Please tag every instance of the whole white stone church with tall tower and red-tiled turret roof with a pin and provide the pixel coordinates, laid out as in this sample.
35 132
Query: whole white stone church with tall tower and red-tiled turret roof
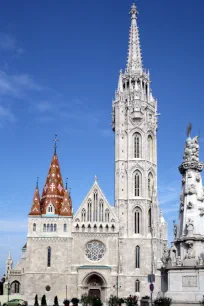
101 249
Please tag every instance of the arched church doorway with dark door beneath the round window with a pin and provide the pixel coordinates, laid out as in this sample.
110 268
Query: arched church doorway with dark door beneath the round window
95 286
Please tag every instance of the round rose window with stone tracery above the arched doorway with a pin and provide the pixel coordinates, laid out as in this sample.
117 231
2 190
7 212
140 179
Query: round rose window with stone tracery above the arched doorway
95 250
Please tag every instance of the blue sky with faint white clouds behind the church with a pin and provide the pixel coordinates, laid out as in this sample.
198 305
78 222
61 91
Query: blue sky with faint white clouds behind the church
59 64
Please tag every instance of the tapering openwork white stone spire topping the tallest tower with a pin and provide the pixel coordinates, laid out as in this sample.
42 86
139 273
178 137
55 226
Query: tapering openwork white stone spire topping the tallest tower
134 61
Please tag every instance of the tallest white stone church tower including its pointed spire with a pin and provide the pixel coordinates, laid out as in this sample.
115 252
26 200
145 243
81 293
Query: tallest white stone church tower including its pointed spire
134 121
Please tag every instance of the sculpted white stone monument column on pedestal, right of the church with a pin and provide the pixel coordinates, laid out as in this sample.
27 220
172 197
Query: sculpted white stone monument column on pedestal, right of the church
184 262
